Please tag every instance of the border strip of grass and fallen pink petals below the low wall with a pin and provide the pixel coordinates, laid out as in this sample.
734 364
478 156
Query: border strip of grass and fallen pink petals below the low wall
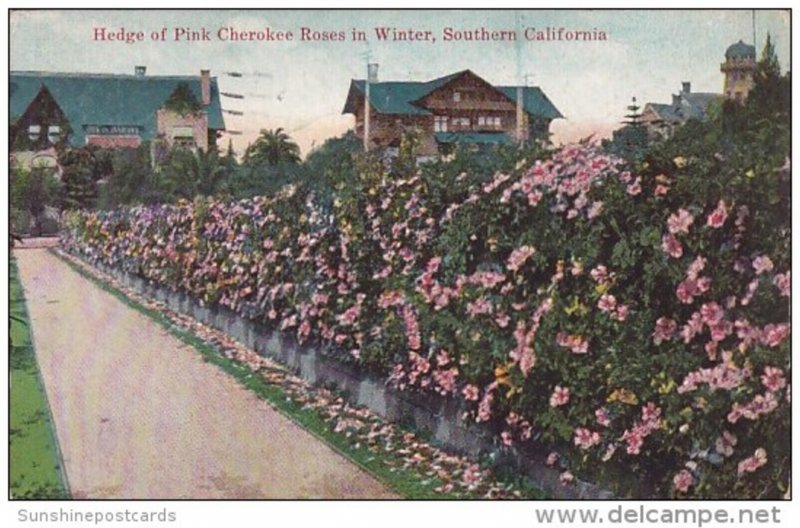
408 464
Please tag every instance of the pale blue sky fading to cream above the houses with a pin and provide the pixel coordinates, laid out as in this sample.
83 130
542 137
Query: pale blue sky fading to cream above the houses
301 86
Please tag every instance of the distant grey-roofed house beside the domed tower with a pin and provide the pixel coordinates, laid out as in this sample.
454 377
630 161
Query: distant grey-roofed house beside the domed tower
662 119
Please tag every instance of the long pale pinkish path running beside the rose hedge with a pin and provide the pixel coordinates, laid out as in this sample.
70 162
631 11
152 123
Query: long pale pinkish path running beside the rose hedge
140 415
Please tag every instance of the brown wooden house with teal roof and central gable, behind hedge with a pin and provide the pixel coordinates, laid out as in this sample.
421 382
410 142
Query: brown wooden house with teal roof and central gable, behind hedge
457 108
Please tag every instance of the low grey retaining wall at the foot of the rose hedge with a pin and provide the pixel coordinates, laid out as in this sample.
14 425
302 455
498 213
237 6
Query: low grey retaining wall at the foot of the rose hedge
437 416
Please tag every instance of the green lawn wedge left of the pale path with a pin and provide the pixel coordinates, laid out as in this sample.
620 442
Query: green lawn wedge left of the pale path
35 465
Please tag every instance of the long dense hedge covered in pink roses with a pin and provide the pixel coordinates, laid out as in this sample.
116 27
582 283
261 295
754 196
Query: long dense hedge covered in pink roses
636 326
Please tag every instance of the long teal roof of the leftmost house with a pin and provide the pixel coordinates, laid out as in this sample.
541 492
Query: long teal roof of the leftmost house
103 99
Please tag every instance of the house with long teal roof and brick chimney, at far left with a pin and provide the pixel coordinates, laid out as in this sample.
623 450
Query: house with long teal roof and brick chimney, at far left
113 111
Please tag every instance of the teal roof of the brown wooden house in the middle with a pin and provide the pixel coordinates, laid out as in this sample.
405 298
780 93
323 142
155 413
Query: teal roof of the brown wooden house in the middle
399 97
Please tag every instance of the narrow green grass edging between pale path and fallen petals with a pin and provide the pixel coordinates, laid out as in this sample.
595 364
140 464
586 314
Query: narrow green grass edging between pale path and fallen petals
387 468
